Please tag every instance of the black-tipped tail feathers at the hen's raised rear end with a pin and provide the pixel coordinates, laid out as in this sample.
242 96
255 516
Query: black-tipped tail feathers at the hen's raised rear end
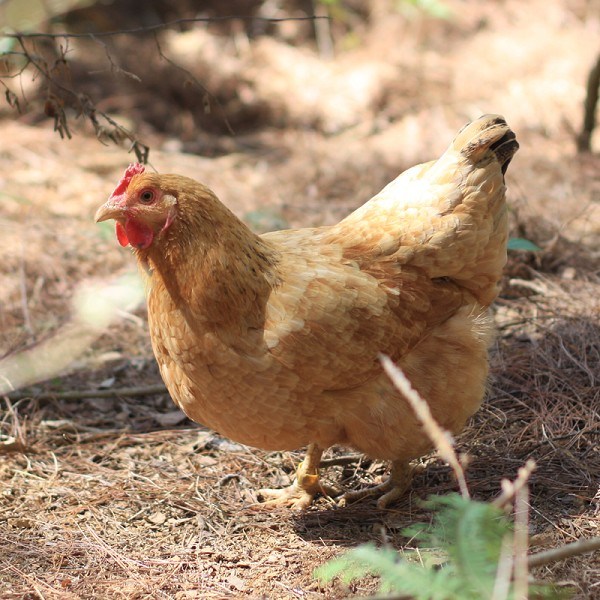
487 133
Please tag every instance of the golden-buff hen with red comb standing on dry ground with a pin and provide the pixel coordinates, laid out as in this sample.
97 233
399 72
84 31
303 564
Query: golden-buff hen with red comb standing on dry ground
274 340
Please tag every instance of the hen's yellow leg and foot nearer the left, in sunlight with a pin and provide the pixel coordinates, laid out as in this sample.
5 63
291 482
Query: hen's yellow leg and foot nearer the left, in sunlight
306 486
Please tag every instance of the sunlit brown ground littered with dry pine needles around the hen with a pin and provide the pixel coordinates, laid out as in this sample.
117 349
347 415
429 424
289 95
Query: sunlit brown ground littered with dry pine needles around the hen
109 494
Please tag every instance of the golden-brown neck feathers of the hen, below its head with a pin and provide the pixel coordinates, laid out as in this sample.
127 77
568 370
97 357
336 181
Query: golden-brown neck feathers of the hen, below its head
216 270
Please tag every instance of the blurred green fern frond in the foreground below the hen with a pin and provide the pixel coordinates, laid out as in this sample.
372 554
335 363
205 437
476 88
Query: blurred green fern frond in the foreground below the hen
458 556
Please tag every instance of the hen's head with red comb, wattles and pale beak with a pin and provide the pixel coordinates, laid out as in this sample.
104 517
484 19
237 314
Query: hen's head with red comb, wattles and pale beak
146 205
